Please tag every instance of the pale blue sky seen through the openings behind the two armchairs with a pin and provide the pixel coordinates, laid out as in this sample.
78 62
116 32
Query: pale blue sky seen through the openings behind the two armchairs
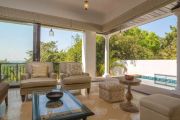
17 39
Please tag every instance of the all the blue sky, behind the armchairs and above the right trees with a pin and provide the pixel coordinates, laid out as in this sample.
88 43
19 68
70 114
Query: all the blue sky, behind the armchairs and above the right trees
16 39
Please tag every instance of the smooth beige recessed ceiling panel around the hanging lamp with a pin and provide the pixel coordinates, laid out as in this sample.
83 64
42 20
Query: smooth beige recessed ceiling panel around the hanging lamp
100 11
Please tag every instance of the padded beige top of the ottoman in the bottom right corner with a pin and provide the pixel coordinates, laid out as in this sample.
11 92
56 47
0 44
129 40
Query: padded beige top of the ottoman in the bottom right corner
165 105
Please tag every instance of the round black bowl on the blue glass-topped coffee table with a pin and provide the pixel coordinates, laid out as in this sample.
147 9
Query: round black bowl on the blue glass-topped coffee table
54 95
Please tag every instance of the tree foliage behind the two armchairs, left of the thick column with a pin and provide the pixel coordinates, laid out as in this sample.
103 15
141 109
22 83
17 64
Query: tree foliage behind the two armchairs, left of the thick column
50 53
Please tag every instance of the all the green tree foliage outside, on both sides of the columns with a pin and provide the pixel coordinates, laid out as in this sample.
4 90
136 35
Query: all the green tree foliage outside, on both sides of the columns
133 44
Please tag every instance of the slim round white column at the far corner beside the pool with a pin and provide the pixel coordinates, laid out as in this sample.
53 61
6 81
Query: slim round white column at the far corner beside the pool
106 72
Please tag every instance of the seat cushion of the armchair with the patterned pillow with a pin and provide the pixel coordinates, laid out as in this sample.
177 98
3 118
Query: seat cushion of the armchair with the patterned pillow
79 79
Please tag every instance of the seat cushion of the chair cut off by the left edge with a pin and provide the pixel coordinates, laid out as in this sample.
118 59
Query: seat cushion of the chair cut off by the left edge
3 89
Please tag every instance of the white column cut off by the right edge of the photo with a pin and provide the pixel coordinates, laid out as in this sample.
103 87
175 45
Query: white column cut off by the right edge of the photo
177 12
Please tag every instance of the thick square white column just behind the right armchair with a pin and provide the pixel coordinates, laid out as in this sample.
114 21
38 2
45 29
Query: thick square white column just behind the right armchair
89 53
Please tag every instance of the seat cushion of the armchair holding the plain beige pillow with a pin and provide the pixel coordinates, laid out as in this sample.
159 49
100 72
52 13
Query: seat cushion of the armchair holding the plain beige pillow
38 82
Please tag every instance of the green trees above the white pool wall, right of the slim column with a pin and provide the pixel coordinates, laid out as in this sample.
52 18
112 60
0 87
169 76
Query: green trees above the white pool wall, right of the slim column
137 44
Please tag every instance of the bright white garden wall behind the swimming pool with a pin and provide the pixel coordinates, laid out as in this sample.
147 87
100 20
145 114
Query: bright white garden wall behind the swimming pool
151 67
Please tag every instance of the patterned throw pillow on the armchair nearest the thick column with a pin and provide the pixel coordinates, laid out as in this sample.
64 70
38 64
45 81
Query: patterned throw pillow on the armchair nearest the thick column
74 69
